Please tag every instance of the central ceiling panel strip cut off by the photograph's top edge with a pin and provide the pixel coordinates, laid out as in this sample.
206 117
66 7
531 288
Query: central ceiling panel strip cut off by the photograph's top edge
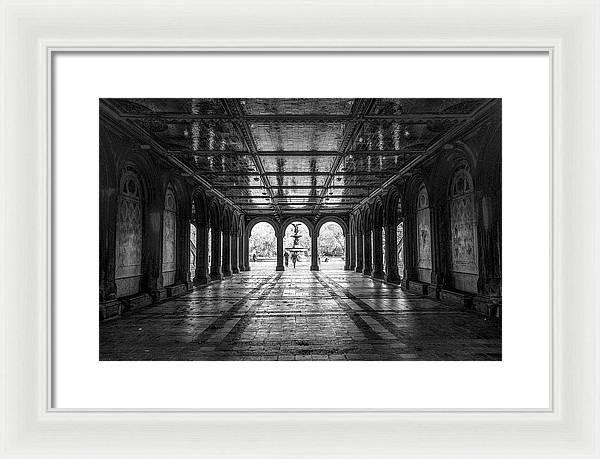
297 106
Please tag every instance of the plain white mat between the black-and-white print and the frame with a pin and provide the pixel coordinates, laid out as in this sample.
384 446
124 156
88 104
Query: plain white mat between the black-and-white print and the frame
521 380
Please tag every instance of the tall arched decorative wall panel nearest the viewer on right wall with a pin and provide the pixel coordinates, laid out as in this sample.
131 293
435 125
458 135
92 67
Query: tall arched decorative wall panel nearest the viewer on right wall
463 231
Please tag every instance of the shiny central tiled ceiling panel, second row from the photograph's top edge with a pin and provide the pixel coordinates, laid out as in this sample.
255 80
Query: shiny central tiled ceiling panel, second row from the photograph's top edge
297 136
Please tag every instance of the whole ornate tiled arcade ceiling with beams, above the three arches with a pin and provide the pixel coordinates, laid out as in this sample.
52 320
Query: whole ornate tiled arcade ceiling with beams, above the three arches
294 156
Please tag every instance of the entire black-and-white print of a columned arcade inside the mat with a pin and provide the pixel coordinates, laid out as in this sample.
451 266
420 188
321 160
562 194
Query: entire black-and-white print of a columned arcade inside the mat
311 229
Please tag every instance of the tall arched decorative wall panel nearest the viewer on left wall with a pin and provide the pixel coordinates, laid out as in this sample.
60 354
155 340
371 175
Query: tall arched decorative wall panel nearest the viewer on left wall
129 237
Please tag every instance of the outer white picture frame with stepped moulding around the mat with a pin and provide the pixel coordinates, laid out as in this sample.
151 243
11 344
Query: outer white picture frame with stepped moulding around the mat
568 30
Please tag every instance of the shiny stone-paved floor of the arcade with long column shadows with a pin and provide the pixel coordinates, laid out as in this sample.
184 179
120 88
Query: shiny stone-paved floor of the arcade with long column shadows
300 315
